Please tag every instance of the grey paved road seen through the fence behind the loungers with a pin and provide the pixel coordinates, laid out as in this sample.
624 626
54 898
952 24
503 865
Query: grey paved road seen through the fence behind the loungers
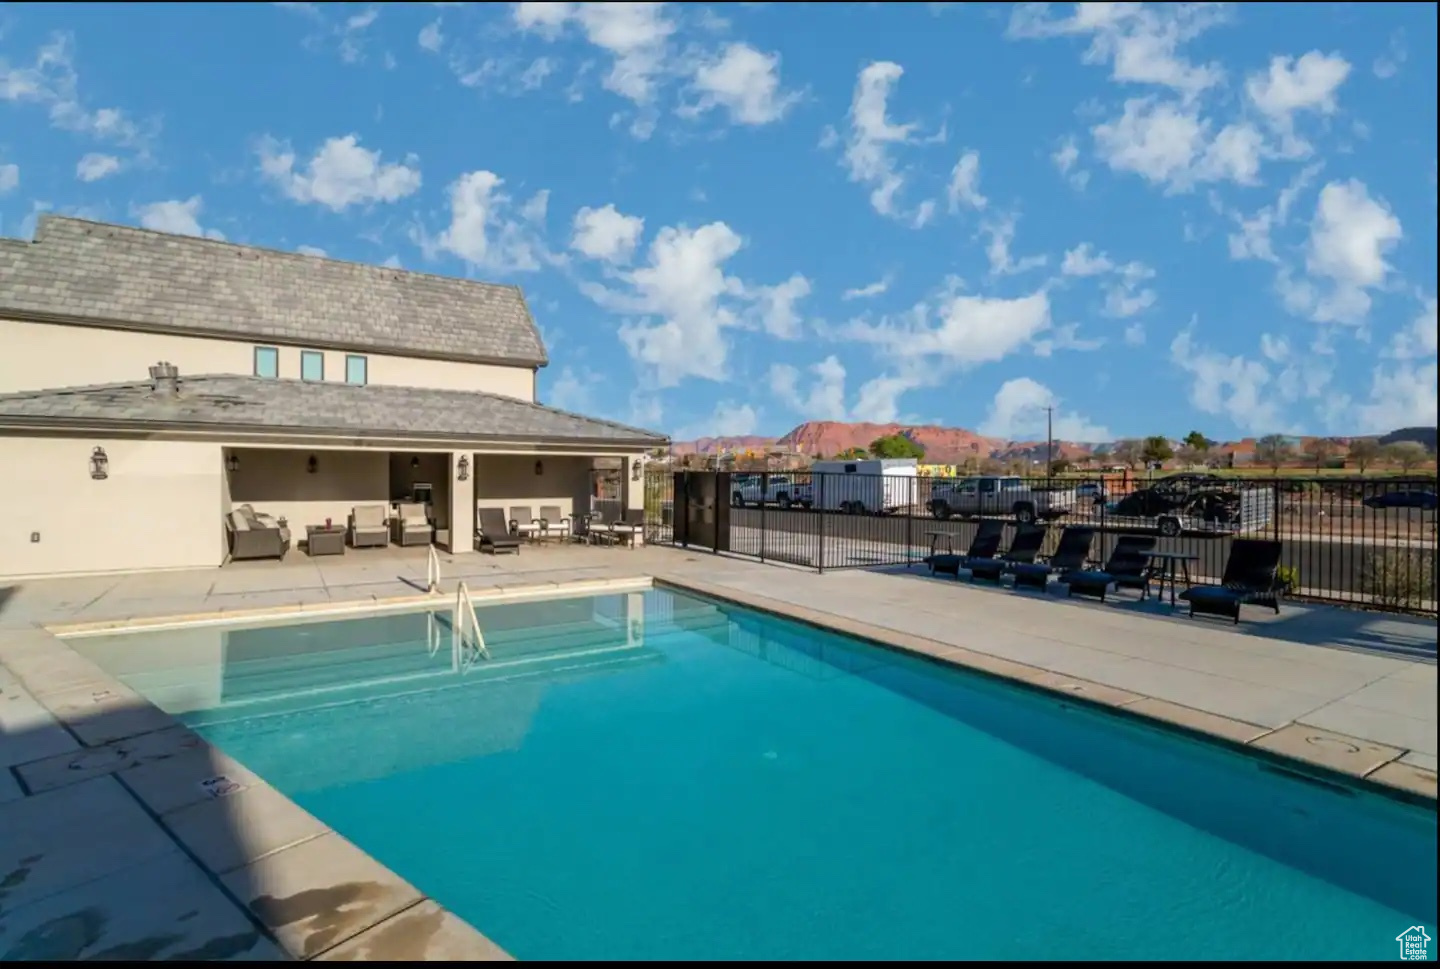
1331 567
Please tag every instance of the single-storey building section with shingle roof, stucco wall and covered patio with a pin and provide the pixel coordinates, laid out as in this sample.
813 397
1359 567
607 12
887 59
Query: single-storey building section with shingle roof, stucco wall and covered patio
142 477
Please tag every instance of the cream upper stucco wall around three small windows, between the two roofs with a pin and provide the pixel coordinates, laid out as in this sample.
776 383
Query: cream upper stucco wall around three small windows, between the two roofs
40 356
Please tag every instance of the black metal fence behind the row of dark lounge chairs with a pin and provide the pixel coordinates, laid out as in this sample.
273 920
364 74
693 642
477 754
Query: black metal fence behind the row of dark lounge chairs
1364 542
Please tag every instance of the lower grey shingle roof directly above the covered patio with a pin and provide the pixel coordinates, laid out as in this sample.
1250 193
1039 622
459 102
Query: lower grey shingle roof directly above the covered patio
375 411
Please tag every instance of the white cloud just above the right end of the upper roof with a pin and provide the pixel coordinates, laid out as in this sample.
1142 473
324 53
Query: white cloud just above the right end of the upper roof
482 231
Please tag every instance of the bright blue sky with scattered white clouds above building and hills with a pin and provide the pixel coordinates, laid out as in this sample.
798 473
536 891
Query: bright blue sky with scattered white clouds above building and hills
732 220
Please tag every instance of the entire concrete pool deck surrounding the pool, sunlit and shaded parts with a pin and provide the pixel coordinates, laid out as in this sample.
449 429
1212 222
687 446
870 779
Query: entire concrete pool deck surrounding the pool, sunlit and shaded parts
129 836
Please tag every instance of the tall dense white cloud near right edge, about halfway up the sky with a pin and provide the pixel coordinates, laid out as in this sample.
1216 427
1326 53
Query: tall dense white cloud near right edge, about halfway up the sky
1350 237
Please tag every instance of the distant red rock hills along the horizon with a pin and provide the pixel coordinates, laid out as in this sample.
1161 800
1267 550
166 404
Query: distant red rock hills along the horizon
953 446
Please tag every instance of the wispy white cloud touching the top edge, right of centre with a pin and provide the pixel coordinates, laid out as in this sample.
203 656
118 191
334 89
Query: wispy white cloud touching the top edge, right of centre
1140 42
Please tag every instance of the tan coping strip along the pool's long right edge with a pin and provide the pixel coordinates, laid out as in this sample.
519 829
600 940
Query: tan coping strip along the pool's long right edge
1238 736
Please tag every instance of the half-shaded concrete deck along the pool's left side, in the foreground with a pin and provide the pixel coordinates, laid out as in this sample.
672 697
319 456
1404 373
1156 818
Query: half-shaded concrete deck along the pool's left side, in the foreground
129 837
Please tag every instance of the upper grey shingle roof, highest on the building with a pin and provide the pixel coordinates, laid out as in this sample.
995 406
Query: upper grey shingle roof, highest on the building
93 273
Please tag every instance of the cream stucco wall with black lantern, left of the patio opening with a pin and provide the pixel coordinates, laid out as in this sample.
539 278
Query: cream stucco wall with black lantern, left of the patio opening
159 509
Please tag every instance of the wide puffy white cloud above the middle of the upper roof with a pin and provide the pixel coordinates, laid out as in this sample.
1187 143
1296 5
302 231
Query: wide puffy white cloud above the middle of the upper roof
341 175
